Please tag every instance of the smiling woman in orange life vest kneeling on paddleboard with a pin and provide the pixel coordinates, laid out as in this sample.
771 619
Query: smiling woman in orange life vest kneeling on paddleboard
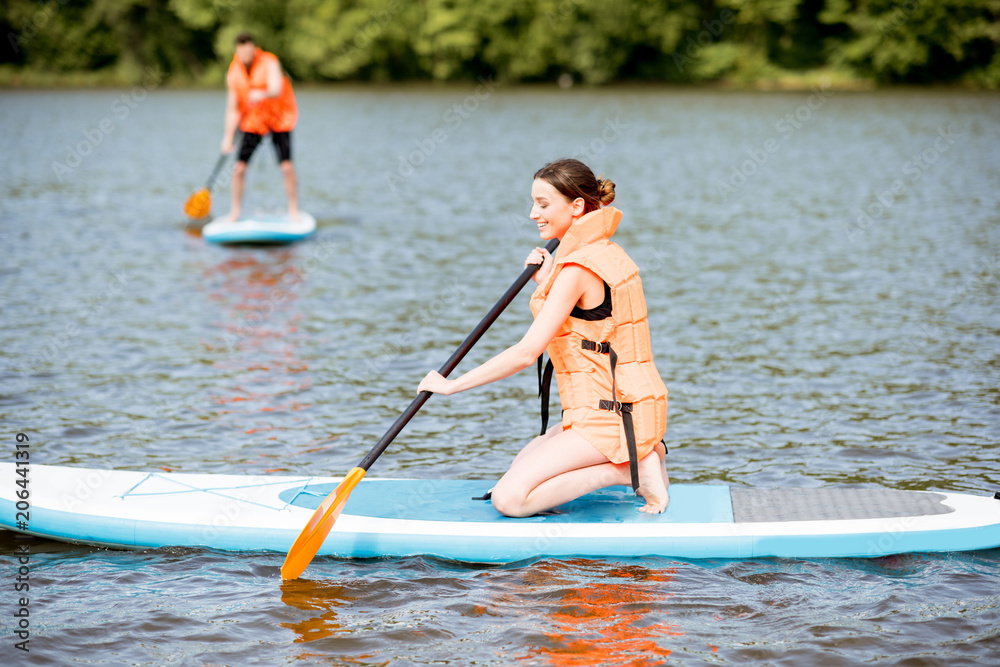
590 314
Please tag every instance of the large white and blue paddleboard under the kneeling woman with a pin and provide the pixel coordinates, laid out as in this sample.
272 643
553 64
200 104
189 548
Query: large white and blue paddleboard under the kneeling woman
407 517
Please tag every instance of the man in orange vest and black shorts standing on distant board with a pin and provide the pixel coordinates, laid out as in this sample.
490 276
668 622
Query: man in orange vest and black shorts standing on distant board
260 101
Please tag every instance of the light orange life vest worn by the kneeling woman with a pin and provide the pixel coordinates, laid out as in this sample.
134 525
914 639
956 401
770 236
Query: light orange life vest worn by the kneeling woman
583 371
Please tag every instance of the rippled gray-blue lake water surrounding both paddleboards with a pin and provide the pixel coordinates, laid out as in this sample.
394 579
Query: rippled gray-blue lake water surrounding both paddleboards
821 271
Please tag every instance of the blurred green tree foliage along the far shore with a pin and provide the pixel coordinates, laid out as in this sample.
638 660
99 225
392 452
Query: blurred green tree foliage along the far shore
762 43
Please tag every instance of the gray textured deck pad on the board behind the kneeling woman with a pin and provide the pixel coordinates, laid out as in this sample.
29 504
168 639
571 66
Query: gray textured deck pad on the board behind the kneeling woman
751 505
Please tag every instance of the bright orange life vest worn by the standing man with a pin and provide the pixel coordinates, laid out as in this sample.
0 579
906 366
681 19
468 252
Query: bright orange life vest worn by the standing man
272 114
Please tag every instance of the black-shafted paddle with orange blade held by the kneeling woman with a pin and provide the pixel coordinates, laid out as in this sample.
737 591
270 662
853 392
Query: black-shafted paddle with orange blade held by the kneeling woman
312 536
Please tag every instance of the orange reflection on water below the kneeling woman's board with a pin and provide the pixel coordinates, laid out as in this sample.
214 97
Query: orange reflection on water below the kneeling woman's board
605 623
